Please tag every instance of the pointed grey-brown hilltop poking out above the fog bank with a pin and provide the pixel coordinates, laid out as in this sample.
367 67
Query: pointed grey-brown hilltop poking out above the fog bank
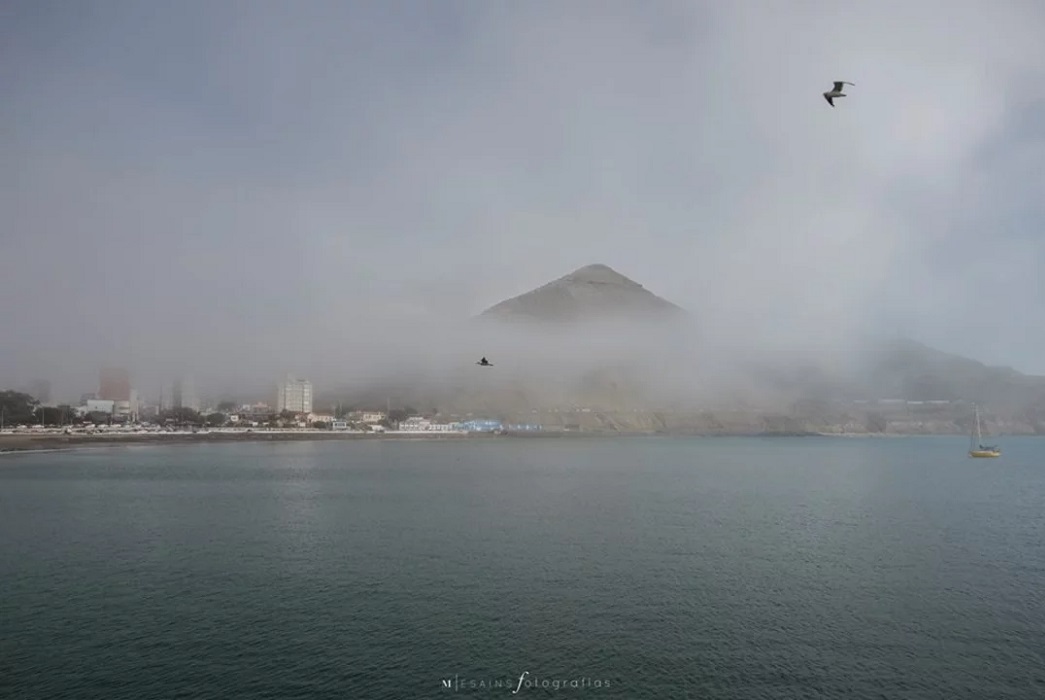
595 292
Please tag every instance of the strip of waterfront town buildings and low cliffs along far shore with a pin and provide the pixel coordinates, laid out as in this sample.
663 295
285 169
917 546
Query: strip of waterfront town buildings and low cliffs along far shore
32 419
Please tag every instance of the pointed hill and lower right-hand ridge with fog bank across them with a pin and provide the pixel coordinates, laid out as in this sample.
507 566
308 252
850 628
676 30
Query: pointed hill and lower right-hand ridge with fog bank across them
597 339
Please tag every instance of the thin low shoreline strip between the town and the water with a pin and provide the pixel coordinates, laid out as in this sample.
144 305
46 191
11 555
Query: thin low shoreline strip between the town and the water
22 444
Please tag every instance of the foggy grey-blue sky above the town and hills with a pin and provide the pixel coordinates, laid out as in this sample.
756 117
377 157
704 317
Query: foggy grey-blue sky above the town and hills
240 190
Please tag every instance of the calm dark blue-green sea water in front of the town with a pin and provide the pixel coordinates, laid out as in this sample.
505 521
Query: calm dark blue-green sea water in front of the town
640 569
